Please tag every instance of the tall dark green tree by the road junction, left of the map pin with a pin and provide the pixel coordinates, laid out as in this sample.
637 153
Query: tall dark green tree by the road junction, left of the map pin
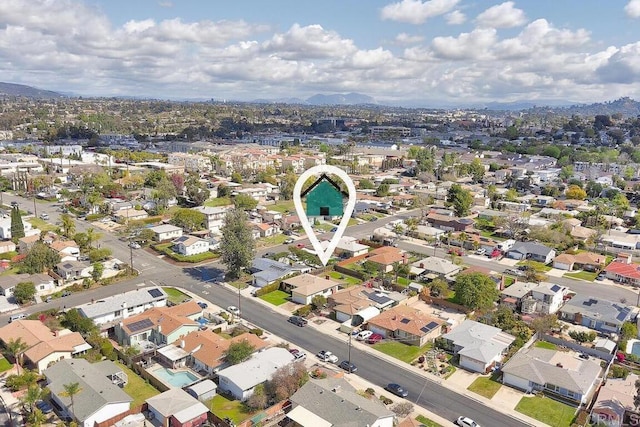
237 245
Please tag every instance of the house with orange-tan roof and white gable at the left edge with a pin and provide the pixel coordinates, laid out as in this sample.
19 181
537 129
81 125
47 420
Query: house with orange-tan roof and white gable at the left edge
43 346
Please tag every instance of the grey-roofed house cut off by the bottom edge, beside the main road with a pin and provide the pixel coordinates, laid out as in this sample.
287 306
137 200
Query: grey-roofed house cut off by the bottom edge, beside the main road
335 402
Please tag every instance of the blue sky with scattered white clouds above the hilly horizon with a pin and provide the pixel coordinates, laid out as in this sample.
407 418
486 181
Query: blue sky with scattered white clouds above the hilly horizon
426 53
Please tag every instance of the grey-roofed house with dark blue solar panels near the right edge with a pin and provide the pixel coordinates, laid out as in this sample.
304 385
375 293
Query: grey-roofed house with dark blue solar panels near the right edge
600 315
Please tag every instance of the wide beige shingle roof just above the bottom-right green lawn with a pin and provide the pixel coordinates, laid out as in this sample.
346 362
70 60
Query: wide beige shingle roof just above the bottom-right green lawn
544 366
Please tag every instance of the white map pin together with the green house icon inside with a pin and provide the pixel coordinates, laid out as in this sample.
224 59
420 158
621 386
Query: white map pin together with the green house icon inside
324 198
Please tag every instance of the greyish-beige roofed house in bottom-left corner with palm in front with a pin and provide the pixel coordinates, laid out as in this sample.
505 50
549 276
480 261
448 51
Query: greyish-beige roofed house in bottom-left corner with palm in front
100 397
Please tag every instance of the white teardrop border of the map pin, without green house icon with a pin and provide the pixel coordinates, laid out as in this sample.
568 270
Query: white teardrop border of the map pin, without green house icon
323 170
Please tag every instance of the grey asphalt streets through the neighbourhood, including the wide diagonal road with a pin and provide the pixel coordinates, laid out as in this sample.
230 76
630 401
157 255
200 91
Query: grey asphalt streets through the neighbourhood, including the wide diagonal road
155 271
